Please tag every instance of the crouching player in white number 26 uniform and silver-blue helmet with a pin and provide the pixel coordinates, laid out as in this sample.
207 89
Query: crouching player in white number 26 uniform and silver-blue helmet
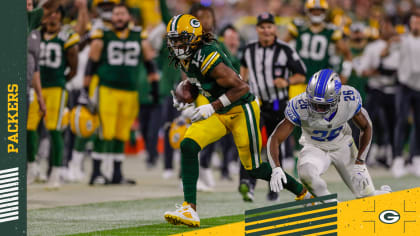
322 113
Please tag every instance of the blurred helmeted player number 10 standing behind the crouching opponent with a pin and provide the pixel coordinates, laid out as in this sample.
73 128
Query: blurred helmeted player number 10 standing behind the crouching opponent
315 40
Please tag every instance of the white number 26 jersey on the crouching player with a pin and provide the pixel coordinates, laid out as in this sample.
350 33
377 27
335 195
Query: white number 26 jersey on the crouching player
327 133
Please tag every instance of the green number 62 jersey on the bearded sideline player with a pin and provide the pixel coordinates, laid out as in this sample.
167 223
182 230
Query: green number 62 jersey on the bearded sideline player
120 58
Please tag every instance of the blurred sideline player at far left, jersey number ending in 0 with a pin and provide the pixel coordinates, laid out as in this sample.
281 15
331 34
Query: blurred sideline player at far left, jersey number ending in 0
58 52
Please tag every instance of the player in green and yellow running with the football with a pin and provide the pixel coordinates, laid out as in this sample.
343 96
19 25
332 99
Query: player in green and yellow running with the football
232 109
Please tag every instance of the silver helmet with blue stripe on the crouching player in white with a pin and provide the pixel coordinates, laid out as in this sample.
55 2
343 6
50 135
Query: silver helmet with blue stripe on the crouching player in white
323 92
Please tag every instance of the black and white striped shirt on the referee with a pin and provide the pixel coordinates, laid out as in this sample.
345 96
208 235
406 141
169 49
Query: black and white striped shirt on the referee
265 64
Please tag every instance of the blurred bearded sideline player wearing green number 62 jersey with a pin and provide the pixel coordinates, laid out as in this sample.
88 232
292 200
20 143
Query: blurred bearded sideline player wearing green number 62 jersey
114 56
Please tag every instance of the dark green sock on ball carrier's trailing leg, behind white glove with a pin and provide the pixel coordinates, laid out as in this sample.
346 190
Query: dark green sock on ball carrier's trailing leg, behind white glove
264 172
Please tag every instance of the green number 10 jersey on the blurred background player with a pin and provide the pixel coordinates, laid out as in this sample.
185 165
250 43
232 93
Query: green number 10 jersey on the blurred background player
314 48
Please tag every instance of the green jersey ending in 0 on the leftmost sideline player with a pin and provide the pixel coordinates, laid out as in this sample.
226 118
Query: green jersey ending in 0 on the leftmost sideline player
53 60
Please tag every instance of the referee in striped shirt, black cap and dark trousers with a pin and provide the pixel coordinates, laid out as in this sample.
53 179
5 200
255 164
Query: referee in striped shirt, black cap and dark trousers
269 65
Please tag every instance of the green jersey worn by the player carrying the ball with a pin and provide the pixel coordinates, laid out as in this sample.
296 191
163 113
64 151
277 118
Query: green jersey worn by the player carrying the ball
198 71
